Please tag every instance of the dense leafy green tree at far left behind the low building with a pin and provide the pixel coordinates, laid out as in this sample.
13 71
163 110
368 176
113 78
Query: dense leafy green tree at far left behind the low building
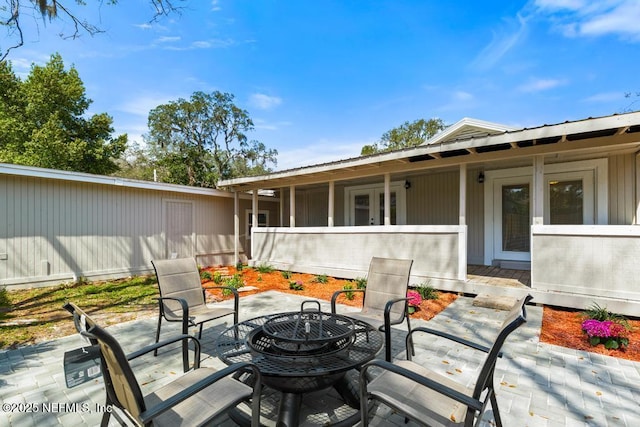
43 123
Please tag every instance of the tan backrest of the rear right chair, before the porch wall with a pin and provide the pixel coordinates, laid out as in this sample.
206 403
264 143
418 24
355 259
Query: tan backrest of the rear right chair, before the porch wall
387 279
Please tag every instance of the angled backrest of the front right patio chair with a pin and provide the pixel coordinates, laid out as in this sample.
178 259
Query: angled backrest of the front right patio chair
515 318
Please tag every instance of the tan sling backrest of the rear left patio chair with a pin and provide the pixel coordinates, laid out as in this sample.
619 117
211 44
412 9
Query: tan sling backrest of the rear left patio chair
179 278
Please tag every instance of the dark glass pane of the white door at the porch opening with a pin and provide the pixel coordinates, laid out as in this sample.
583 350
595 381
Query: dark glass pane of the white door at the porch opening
516 218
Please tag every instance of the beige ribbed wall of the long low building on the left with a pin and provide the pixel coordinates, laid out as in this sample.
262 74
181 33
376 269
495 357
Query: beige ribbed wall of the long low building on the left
53 230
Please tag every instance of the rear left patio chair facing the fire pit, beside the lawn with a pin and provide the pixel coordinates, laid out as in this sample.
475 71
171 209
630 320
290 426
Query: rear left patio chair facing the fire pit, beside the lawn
182 297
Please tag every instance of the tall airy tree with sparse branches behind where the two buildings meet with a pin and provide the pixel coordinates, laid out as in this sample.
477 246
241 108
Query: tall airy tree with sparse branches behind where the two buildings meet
202 140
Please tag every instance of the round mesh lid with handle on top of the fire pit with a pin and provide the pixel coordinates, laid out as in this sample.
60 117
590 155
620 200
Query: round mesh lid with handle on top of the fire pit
309 326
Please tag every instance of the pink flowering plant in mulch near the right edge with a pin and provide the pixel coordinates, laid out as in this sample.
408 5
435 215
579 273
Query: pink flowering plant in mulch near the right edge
604 327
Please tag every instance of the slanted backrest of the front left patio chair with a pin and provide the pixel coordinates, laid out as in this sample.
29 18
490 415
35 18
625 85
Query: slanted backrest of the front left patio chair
120 383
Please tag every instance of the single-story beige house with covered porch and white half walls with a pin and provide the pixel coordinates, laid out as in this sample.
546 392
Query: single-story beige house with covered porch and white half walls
561 200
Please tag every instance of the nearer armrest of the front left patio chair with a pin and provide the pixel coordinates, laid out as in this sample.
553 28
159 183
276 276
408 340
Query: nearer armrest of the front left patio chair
151 413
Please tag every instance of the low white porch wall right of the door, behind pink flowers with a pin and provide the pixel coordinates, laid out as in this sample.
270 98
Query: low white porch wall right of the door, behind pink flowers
589 263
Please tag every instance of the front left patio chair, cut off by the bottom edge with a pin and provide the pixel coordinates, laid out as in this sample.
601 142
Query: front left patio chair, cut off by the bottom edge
195 398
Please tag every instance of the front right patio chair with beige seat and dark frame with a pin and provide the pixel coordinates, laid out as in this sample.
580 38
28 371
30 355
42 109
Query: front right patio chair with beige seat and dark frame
430 398
